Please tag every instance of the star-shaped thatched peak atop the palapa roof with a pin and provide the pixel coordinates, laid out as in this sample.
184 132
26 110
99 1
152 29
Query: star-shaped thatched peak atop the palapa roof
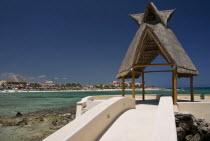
153 16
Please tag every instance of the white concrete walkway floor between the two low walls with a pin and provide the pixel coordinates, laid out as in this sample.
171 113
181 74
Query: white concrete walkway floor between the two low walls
133 125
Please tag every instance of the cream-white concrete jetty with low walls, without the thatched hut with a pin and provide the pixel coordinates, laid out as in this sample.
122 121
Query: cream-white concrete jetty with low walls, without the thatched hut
109 118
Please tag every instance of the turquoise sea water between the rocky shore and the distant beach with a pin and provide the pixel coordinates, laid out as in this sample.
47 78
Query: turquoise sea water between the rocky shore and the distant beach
60 102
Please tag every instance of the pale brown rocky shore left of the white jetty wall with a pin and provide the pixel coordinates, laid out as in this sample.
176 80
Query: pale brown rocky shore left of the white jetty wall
32 127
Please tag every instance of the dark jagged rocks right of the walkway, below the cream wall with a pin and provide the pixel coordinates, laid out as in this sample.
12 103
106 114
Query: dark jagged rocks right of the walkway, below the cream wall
191 129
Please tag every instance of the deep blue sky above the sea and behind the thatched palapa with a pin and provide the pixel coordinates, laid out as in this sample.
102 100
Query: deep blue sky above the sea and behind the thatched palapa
85 40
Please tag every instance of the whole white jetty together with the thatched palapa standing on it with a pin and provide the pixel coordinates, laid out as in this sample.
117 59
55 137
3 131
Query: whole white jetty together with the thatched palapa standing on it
123 118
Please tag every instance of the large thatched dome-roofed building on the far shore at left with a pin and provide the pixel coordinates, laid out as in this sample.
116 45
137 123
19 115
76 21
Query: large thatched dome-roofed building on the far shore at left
15 81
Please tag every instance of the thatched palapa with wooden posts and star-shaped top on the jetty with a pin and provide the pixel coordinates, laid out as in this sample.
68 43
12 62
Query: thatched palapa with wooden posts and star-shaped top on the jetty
154 38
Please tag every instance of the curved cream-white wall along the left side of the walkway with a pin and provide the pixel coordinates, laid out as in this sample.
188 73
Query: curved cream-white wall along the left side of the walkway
93 123
